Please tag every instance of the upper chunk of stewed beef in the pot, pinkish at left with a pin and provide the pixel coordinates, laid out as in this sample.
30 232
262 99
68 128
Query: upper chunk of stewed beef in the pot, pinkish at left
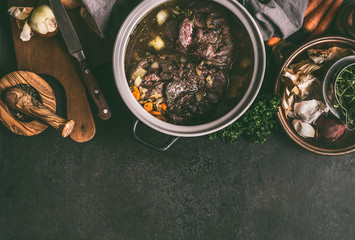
206 35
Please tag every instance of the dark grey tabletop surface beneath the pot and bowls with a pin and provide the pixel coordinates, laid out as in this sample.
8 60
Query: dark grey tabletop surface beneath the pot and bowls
114 188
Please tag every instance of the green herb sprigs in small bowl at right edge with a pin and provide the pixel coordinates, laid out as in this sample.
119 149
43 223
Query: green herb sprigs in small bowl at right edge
345 90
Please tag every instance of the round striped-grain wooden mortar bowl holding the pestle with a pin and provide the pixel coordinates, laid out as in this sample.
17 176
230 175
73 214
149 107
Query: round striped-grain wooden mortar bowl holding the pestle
23 77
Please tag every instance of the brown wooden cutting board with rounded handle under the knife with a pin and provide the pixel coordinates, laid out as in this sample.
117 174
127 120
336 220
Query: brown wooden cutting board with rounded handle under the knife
50 56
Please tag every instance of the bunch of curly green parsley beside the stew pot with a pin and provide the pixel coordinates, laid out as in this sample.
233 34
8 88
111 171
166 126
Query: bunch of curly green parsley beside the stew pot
256 124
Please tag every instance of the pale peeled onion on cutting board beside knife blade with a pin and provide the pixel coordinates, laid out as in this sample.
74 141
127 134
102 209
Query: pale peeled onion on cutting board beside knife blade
43 21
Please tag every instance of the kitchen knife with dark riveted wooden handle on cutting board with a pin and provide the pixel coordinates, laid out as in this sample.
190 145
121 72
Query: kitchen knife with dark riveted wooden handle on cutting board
76 50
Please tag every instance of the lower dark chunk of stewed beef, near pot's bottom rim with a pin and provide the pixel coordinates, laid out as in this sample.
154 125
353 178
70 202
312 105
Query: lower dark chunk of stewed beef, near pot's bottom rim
194 92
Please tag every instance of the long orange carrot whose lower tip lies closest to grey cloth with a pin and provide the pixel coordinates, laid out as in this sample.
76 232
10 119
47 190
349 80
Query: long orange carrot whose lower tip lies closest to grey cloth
312 20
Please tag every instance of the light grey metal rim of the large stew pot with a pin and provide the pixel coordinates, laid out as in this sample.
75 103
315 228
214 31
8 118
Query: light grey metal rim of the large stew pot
119 54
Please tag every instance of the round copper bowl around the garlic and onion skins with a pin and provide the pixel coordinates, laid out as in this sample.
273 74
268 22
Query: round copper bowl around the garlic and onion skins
346 144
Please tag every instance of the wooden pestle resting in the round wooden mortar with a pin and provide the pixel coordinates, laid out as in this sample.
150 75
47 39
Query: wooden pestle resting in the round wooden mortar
23 102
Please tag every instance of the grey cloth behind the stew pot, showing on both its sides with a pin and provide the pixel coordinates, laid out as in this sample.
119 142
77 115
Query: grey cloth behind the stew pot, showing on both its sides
278 18
